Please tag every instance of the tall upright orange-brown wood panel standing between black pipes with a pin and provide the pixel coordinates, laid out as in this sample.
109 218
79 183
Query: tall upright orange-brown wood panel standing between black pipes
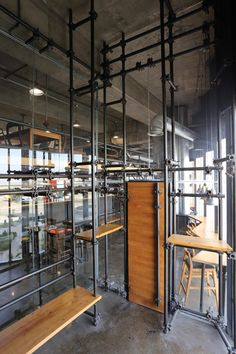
142 244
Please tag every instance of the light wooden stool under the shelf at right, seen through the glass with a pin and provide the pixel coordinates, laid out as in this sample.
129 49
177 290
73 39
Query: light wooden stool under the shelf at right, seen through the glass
189 272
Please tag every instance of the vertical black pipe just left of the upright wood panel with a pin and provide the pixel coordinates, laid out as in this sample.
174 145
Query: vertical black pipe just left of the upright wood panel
123 76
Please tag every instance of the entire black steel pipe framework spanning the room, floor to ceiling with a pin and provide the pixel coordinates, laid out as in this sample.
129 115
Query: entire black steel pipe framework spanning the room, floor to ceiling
171 305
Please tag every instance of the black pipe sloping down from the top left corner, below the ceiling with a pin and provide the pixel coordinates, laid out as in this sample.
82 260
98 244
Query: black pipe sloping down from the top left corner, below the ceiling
40 34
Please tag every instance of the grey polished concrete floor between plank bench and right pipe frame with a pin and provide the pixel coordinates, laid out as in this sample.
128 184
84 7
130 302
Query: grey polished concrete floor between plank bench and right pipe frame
128 328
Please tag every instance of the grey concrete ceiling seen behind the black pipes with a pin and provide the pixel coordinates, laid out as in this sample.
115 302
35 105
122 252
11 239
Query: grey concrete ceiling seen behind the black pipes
51 16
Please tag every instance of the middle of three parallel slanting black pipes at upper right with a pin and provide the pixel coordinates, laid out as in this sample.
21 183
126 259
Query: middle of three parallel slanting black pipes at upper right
154 45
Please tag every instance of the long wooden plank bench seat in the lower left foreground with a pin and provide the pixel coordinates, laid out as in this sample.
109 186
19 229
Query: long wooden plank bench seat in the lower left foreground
31 332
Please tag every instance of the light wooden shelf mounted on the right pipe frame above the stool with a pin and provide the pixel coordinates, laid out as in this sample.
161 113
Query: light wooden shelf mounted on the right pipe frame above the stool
199 243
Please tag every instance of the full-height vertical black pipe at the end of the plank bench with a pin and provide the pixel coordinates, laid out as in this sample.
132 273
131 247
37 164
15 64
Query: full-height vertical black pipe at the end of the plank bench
92 74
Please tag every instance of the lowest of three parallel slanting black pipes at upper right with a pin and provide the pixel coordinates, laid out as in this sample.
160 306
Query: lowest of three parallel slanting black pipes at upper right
158 61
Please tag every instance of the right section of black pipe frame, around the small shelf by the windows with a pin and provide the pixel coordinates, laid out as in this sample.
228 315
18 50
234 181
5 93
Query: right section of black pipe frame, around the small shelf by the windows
172 306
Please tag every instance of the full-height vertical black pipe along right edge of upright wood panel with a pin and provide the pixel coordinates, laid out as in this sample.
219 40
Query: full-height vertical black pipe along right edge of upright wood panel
165 147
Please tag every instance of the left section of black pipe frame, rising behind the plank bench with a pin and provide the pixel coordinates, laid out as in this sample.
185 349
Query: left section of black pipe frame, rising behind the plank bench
35 173
